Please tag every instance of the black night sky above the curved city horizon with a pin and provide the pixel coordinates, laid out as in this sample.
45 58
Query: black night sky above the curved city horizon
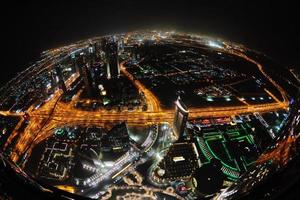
29 28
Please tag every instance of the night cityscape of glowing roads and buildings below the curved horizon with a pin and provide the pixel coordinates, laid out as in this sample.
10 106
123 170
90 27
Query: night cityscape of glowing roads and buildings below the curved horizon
150 115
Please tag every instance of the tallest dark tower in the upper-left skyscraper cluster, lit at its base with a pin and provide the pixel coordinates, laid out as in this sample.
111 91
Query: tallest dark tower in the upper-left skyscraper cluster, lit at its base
112 61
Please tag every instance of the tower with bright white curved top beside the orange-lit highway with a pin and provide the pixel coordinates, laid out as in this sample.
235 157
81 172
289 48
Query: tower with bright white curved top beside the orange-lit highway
180 118
